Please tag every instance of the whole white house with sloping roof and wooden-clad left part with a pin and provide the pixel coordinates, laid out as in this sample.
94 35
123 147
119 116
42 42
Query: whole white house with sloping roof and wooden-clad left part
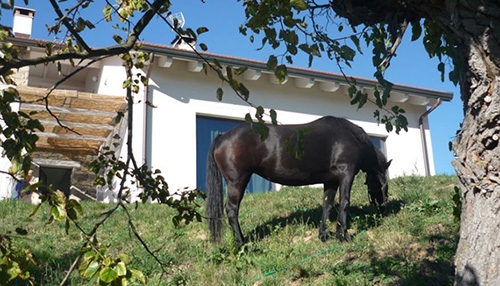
174 135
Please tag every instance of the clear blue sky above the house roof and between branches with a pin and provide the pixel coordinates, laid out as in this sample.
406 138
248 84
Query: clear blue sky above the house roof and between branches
411 66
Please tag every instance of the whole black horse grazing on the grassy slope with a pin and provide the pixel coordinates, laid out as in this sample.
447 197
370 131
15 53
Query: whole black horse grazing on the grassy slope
331 151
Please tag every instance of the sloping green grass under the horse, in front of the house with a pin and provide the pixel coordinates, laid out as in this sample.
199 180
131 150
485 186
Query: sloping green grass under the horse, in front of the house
413 244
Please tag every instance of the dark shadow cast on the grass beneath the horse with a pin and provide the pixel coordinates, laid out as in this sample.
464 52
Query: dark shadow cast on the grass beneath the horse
368 215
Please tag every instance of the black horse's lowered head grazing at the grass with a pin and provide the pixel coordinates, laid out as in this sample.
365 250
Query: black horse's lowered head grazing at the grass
378 186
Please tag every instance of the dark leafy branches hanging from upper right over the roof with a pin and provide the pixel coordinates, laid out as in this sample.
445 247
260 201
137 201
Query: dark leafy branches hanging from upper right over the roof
306 26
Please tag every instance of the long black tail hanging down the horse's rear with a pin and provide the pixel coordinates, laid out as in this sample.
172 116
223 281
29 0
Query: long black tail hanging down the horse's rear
214 210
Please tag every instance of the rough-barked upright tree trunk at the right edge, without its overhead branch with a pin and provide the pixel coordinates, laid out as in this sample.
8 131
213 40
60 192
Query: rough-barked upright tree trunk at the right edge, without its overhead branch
477 163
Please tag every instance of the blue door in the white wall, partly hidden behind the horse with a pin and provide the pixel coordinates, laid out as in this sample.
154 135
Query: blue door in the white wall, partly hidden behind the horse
207 129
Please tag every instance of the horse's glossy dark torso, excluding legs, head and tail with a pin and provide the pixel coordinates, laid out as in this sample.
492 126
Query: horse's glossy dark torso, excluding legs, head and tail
293 154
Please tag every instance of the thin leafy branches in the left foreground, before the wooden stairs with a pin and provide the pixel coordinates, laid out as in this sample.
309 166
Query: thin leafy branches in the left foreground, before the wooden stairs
128 19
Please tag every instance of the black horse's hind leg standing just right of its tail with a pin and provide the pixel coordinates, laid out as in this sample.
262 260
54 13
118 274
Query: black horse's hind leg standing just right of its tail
235 192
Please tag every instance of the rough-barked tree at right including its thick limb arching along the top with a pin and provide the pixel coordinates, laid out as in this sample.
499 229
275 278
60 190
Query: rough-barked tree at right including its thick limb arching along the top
474 26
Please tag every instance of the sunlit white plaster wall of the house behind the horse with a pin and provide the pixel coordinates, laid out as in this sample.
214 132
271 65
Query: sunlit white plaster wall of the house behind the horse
180 95
